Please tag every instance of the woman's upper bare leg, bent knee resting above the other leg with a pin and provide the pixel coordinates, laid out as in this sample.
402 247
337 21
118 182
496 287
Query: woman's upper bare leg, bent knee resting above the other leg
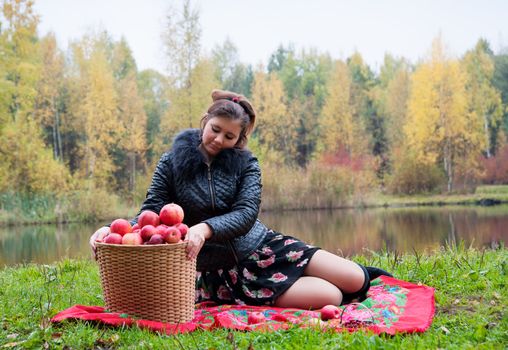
342 273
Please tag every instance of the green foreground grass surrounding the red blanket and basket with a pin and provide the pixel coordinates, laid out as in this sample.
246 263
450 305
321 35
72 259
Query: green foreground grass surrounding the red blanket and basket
471 297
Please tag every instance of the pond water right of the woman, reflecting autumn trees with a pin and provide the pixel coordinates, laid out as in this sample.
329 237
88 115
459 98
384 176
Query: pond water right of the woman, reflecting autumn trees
403 230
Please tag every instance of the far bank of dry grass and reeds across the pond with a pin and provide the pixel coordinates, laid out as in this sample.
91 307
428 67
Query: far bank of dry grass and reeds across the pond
312 192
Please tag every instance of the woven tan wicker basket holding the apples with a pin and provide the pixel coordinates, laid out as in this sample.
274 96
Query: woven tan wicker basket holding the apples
154 282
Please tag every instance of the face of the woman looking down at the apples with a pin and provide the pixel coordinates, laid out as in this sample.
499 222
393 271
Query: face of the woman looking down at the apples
220 133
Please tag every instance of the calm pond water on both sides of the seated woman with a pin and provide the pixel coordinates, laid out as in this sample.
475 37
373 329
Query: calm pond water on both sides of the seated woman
346 232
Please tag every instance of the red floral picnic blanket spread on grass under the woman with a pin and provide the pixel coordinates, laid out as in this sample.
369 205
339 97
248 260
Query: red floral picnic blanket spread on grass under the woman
393 306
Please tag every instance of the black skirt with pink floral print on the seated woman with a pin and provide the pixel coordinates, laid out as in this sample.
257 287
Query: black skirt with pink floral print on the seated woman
260 278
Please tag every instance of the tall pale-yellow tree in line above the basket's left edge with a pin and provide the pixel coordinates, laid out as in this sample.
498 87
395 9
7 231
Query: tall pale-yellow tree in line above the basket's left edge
94 108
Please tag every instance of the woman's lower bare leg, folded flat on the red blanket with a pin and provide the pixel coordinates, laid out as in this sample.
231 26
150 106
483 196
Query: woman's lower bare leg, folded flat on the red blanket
310 293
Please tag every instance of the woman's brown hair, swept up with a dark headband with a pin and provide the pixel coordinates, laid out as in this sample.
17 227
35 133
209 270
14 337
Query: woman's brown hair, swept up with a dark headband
234 106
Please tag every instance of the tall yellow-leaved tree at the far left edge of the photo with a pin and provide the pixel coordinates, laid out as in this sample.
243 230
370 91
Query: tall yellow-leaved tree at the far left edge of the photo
27 165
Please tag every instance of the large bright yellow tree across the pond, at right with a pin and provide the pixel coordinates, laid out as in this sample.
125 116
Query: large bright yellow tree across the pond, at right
441 127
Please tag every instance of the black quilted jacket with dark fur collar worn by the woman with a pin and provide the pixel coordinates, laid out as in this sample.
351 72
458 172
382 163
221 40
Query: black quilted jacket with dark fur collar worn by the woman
226 195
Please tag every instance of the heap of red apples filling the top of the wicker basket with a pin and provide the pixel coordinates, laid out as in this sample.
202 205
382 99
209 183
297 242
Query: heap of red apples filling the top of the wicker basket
167 227
